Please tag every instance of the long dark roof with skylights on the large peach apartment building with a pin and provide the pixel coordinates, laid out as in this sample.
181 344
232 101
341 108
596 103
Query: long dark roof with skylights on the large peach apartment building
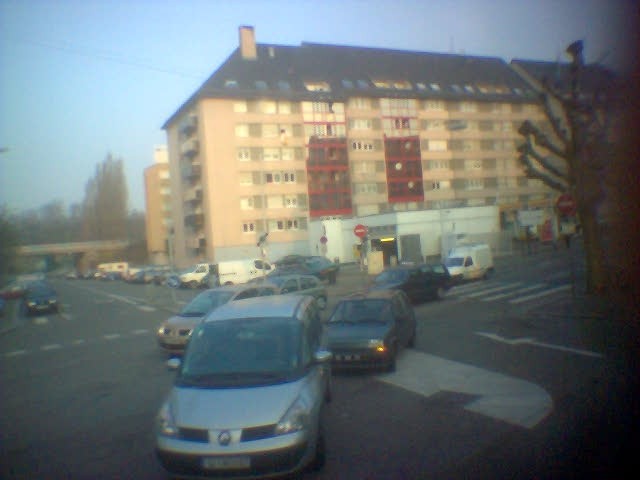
284 69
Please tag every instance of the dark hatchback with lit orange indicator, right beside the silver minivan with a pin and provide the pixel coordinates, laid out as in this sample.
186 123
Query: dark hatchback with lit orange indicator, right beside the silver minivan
368 329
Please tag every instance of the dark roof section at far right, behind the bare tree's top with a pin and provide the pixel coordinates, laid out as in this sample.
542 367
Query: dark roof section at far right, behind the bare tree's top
594 77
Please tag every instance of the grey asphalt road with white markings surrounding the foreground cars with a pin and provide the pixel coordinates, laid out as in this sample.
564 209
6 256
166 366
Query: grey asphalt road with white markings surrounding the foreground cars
506 381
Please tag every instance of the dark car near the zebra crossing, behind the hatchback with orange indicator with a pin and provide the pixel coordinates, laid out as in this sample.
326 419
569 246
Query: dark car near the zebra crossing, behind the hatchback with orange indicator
419 281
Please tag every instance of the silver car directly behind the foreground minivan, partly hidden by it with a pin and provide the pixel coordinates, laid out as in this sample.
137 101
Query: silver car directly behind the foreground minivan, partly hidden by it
174 333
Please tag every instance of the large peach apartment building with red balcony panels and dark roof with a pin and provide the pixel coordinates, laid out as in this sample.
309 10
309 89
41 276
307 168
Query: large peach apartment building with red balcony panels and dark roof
304 142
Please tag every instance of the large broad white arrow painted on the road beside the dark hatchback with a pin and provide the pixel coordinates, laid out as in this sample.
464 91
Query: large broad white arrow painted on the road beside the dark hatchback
504 398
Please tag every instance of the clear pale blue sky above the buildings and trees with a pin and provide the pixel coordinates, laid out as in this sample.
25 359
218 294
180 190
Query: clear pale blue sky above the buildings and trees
82 79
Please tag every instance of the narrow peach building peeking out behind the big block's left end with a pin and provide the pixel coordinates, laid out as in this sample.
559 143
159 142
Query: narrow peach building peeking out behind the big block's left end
158 219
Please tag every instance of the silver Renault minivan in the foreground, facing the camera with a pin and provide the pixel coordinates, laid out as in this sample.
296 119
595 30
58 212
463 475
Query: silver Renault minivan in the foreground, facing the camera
249 394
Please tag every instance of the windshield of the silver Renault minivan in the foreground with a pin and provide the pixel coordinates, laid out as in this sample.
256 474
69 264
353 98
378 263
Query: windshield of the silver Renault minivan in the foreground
253 351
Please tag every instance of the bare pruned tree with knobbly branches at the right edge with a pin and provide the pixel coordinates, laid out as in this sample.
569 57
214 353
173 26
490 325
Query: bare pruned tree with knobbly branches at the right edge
573 156
